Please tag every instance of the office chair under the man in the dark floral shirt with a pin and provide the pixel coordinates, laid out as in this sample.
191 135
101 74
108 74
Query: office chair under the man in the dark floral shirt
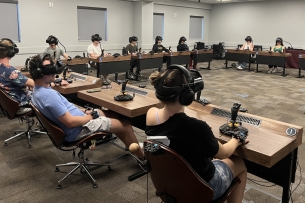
9 108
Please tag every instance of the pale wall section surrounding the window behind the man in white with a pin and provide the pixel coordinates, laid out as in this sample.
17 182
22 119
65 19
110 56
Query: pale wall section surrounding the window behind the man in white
38 21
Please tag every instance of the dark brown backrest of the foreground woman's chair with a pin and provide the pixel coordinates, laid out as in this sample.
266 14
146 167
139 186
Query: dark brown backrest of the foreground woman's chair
174 179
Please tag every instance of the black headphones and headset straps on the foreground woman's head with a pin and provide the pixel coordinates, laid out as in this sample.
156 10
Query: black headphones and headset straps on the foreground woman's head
186 93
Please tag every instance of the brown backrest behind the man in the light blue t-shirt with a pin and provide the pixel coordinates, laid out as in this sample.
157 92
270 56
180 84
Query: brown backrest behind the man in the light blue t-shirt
55 133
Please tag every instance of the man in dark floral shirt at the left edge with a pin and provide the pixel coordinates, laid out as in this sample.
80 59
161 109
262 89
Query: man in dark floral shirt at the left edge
12 80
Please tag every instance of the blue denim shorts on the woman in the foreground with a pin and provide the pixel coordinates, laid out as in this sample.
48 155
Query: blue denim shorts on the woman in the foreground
222 178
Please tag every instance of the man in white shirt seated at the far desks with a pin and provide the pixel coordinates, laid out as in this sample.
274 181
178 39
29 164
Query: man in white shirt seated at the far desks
94 51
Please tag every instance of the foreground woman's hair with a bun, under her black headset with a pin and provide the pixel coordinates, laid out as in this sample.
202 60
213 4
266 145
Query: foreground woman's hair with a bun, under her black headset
174 78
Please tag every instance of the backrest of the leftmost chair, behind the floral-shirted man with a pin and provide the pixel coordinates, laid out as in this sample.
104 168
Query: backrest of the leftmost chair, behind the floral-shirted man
8 105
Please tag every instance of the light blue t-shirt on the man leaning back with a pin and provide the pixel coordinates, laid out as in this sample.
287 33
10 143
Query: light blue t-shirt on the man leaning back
53 105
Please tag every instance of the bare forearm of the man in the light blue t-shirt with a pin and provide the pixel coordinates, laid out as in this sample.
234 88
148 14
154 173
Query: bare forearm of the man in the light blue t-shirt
74 121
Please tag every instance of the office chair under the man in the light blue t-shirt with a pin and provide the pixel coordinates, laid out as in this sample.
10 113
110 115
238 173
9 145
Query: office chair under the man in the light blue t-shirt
57 135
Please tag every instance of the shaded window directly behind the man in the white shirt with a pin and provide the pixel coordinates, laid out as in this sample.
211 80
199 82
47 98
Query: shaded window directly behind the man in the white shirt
91 21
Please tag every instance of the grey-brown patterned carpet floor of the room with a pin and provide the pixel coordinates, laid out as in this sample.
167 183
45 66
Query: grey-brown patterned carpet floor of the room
27 175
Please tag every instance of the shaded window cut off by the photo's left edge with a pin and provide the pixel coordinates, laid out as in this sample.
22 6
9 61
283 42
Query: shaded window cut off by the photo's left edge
9 22
